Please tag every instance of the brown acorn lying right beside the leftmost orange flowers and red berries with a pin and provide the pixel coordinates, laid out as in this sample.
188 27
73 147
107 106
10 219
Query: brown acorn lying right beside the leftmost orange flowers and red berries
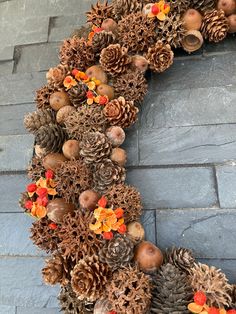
57 208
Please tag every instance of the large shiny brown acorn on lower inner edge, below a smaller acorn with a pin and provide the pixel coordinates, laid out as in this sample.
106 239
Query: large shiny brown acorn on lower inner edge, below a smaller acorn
148 256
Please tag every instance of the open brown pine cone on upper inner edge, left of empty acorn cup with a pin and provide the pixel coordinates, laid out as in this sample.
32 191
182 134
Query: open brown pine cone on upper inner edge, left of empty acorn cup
160 57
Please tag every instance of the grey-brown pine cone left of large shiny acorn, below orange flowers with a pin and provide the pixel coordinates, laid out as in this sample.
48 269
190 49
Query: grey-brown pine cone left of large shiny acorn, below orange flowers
117 252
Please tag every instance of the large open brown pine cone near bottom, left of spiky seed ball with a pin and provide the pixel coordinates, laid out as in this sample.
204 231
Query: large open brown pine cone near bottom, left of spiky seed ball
90 278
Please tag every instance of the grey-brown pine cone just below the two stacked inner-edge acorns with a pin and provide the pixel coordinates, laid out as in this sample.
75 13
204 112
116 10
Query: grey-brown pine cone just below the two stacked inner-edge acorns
107 173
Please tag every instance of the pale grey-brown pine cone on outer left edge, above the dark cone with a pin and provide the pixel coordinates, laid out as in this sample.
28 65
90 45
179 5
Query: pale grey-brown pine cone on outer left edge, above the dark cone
33 121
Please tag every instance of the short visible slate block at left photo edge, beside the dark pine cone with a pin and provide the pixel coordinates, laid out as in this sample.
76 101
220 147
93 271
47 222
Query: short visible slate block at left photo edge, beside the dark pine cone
15 152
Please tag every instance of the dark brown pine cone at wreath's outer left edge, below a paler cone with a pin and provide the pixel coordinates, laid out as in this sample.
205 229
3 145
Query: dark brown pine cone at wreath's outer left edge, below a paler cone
51 137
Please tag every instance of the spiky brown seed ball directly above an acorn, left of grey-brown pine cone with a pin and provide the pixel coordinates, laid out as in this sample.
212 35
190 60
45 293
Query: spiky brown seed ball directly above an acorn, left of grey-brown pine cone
72 178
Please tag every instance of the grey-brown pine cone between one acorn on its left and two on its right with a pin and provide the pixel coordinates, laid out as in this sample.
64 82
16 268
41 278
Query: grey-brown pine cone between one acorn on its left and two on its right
95 146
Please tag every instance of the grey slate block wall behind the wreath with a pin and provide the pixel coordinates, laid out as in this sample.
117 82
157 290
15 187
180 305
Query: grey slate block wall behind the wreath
182 153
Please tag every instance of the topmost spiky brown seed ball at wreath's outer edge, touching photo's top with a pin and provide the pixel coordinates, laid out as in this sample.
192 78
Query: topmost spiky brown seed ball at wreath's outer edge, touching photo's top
99 12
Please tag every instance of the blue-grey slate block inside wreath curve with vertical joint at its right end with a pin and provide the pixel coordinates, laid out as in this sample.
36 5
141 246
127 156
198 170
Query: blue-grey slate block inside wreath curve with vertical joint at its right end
174 187
